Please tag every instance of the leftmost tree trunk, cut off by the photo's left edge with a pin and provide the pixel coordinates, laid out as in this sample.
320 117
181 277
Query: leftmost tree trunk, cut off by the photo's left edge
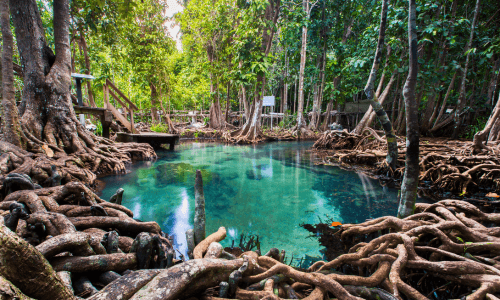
11 126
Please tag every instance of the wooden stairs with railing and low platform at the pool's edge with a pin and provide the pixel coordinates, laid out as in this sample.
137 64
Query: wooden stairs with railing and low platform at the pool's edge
127 108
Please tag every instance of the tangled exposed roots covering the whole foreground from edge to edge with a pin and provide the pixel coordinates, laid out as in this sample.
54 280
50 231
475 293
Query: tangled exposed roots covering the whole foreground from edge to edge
449 249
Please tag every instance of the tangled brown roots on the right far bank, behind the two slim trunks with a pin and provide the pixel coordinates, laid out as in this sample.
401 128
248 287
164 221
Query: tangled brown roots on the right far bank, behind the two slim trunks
444 164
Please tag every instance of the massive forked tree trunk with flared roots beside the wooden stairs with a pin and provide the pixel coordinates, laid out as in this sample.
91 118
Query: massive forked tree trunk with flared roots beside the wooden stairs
49 121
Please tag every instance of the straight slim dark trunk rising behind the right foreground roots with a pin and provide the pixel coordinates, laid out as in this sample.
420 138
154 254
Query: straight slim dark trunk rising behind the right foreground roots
410 179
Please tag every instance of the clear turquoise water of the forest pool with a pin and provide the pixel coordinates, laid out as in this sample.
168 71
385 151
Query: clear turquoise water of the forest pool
267 190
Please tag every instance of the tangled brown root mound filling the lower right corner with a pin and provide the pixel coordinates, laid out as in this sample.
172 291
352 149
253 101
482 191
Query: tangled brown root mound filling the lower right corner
431 243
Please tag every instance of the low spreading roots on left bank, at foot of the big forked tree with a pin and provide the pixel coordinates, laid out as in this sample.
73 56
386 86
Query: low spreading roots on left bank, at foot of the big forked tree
105 157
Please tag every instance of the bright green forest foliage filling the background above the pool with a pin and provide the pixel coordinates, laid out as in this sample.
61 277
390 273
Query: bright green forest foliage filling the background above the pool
127 42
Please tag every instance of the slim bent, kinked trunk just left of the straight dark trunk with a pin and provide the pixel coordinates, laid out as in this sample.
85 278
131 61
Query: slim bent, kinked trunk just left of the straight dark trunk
392 146
